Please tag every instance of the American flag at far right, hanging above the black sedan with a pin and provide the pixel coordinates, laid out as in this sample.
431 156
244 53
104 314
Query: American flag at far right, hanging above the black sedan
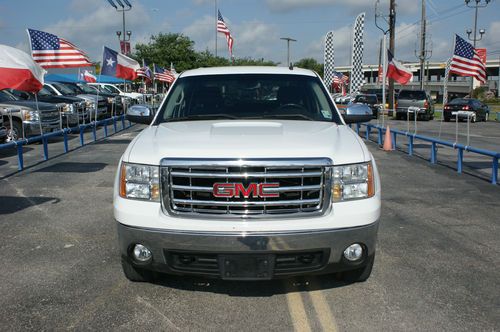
466 61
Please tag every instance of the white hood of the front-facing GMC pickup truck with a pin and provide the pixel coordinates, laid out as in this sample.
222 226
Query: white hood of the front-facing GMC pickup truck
247 139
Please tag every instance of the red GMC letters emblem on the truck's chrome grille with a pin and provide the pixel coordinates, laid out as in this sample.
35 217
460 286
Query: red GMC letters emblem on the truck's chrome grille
228 190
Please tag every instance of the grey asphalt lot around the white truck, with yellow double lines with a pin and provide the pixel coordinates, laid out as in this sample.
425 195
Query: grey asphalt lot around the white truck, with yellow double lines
436 266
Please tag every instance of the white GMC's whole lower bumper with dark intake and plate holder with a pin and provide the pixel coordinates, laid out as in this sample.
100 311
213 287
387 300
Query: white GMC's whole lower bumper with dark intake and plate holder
232 255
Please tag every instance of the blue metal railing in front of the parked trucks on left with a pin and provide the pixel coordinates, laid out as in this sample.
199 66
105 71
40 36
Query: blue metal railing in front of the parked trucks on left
64 133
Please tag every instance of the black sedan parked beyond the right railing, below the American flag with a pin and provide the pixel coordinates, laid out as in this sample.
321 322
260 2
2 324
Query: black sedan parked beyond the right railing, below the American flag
466 108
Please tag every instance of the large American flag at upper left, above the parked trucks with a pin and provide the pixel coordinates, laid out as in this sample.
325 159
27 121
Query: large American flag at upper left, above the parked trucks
51 51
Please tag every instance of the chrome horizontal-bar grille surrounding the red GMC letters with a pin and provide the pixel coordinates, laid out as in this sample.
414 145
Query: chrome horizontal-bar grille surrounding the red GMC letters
303 187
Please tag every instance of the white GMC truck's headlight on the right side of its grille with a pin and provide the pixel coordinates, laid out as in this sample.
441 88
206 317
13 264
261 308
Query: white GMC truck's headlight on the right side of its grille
354 181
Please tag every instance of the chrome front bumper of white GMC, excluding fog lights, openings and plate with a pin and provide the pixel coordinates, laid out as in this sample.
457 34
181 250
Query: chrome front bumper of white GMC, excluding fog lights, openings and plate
331 243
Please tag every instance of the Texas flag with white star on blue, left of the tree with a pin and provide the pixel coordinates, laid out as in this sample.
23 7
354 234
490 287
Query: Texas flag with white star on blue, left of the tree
119 65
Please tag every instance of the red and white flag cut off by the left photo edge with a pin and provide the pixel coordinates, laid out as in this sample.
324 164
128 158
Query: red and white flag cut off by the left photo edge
19 71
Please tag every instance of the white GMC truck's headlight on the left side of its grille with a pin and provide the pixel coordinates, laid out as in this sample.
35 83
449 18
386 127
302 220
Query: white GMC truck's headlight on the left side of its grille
140 182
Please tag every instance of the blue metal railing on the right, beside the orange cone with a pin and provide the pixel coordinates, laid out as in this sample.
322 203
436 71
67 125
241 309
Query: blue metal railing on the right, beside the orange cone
495 156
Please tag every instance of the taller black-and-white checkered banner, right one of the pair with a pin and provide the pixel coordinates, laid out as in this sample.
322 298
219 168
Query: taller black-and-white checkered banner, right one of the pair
357 77
